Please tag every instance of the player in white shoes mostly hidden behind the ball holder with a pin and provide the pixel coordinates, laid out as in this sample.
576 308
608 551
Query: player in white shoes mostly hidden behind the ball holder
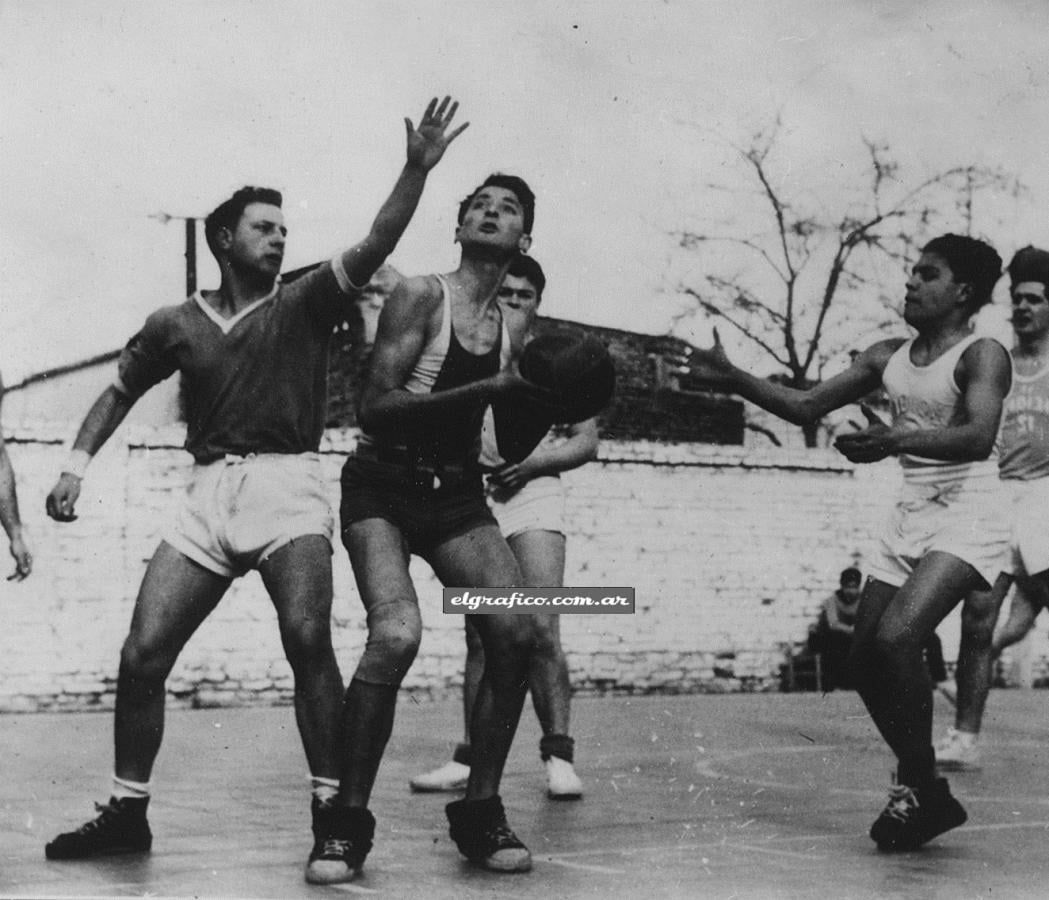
528 501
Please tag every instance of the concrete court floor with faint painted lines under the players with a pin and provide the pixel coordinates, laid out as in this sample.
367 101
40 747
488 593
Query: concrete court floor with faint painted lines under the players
710 797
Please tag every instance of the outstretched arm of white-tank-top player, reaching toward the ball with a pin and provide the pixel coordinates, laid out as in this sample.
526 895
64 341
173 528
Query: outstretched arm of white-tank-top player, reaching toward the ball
799 408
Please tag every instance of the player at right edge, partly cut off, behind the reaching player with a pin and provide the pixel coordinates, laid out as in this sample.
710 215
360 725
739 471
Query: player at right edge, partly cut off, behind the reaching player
1024 469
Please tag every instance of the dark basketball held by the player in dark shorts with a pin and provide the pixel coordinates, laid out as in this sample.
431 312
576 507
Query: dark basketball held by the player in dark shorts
577 370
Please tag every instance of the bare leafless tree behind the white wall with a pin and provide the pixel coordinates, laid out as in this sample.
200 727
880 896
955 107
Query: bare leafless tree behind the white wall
812 283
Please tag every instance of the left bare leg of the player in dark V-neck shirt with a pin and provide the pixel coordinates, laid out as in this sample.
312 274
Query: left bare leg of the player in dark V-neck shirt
177 595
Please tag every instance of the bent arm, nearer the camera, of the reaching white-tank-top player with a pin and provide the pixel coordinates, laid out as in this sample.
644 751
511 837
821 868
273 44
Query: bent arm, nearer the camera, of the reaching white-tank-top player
984 375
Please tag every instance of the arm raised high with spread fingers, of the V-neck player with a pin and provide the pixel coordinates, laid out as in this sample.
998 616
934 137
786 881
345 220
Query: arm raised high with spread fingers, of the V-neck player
426 146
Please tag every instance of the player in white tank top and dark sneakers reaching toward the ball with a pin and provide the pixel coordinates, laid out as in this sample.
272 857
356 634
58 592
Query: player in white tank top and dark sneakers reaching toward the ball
947 535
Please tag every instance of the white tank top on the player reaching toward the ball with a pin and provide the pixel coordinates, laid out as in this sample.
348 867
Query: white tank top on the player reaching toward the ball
929 399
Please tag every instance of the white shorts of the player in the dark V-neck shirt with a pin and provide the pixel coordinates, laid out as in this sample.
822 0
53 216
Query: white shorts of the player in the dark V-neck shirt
239 510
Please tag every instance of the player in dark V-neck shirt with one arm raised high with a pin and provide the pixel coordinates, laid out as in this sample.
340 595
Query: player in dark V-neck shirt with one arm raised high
253 356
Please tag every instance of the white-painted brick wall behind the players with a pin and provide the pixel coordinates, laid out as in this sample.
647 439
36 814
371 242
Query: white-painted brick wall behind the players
732 552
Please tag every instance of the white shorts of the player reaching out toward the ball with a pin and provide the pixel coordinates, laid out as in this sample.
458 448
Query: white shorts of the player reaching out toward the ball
967 520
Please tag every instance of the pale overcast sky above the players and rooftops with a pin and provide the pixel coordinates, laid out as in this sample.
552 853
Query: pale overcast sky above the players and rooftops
620 115
